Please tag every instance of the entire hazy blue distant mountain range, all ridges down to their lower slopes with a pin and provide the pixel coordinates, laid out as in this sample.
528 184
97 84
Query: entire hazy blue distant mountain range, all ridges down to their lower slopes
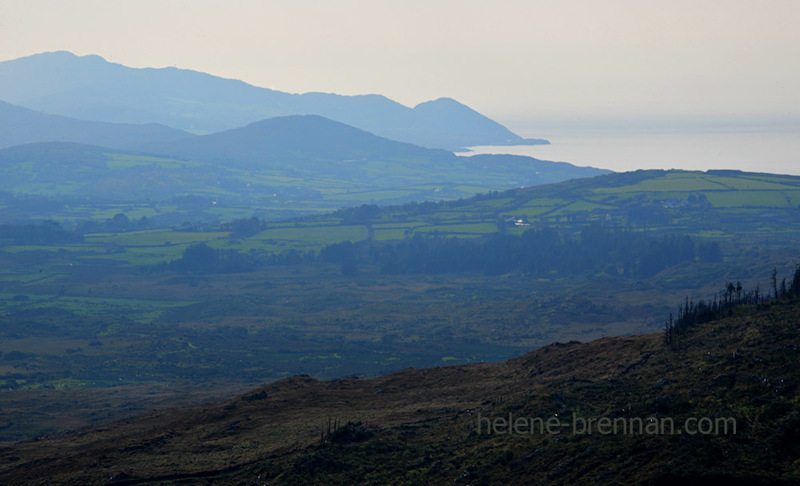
273 154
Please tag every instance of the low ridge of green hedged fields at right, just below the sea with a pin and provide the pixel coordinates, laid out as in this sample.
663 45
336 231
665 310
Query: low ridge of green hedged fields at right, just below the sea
711 204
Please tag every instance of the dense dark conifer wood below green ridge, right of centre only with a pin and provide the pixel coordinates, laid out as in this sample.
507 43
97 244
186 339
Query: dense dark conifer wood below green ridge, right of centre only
543 252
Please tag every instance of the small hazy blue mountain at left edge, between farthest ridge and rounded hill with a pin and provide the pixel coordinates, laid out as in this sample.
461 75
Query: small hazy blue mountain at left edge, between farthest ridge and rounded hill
20 125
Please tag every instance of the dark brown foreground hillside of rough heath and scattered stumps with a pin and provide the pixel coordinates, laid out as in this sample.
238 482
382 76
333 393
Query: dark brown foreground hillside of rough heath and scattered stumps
421 426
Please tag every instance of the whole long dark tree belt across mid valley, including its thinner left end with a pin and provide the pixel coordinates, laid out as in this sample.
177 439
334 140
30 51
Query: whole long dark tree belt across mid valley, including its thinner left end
539 252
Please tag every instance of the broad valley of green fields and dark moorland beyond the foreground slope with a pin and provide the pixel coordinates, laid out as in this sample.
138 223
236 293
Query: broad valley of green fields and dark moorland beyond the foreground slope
105 309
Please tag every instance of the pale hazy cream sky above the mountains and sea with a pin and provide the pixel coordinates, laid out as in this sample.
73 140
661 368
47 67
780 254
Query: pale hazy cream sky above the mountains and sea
509 59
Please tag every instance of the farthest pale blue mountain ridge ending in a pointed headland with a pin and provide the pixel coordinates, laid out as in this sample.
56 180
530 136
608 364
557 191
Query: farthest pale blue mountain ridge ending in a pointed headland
90 88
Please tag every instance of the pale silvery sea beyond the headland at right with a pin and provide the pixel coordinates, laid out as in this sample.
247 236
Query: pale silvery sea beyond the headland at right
773 148
